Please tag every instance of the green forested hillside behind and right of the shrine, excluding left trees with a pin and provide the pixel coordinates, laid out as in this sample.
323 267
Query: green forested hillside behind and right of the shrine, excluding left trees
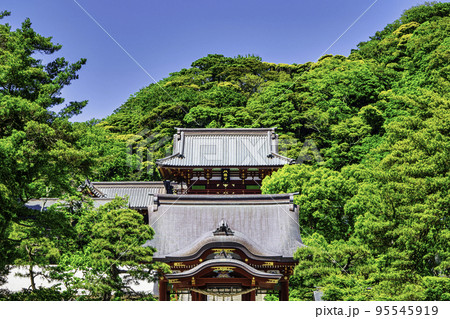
374 211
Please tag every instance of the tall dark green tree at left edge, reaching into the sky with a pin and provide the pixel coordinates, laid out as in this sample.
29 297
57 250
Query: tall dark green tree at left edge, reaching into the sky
38 155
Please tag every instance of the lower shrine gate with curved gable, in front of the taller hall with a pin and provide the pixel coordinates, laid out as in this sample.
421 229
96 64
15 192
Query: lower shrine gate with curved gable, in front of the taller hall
225 245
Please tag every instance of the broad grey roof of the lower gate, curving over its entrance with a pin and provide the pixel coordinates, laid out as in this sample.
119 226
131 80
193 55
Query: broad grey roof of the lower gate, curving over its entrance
266 225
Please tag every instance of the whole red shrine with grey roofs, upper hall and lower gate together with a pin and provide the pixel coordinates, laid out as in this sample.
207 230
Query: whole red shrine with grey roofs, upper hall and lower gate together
219 235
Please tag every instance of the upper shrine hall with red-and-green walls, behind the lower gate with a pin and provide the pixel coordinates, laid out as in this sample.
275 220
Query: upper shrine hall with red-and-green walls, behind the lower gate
222 161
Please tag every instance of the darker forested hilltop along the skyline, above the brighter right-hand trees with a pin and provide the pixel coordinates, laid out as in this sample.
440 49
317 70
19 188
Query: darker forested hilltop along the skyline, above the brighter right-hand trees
343 104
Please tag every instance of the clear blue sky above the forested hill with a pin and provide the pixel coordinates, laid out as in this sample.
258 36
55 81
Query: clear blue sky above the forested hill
166 36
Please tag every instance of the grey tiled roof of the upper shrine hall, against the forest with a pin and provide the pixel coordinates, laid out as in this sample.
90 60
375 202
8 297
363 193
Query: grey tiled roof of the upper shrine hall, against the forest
225 148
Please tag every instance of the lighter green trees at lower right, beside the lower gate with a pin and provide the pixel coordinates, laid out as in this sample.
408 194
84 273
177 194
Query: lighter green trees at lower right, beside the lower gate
399 208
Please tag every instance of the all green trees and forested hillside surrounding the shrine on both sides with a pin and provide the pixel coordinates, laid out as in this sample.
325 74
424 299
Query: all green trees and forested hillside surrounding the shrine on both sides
374 189
